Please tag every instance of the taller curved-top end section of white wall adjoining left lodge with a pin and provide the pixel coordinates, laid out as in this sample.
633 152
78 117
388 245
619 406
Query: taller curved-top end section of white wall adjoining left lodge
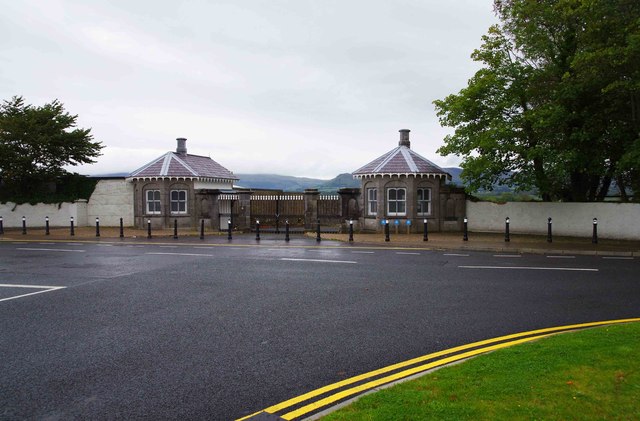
110 201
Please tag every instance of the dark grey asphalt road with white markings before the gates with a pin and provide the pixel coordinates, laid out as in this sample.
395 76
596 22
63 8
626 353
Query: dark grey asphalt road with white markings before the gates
190 331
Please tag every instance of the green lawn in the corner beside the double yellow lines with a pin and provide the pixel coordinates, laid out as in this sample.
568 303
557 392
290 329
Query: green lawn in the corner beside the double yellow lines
582 375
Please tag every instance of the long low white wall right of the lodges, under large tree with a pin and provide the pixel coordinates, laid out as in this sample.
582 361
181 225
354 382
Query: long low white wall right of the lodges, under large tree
615 220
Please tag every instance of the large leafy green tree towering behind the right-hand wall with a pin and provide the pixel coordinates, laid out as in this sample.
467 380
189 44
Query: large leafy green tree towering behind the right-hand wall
556 105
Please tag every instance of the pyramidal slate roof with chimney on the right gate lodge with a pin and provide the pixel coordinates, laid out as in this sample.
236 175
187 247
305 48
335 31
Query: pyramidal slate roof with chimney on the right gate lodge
401 161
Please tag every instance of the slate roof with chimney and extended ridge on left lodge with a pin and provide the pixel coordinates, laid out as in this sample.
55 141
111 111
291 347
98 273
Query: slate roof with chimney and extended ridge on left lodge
179 164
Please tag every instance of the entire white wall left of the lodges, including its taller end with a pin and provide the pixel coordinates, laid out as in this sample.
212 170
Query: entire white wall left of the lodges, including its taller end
111 200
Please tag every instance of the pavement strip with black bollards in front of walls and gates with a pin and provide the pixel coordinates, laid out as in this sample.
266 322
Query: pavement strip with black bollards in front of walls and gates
480 241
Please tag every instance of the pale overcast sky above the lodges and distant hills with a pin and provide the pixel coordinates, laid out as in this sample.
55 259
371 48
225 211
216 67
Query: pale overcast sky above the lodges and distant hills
292 87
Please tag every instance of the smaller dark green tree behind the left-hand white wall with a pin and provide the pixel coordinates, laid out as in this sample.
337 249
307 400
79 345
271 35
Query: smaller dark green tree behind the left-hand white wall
36 142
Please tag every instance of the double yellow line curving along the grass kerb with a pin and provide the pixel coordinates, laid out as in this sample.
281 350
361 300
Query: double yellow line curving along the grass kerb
481 347
